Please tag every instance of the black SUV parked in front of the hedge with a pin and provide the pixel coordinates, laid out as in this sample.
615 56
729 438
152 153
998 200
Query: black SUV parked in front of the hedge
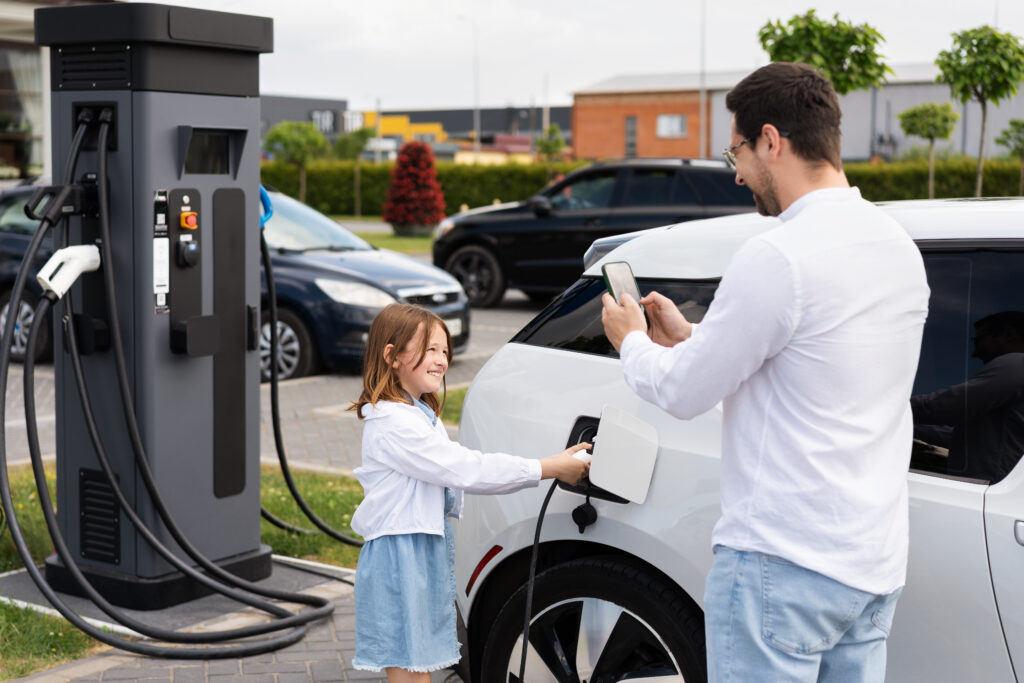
538 245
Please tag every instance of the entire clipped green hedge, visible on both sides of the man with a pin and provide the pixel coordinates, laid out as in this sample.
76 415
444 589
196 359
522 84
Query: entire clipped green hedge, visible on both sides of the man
330 185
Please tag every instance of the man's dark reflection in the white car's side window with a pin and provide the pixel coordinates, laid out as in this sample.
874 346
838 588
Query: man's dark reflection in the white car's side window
982 421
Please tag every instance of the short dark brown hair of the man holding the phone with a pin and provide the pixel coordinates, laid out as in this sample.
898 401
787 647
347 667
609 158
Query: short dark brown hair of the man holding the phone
797 100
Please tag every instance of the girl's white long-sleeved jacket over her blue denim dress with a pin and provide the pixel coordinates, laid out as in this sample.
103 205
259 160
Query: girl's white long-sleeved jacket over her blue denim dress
408 463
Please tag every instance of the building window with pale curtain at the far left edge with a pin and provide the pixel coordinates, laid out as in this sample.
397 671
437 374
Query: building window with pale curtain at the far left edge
21 112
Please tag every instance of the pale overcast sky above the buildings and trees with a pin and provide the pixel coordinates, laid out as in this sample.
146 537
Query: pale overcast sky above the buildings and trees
420 55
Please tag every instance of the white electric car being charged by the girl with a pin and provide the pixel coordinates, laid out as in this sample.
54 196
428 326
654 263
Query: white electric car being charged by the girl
621 600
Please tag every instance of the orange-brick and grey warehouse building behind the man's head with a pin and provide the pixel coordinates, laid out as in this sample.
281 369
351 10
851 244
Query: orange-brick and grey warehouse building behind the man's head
659 115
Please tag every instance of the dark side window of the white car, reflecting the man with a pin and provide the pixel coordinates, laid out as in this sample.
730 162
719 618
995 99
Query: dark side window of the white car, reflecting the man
968 398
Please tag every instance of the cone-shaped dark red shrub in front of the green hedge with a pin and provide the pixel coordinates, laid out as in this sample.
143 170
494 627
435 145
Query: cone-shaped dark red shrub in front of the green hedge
415 197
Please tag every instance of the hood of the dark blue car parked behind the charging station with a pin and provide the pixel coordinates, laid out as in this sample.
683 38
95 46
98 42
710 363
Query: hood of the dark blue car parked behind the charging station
383 269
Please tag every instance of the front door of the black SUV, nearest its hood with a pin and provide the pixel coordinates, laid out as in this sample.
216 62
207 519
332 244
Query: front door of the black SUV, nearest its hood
546 252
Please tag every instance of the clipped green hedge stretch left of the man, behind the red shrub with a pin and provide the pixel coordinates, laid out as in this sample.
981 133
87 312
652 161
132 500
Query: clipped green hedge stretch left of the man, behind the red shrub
331 187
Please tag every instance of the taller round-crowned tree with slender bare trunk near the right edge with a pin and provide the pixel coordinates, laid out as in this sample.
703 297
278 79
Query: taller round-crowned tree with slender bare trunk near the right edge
984 65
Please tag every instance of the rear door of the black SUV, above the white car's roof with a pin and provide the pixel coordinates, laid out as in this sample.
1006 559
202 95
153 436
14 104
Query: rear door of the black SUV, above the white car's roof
652 197
